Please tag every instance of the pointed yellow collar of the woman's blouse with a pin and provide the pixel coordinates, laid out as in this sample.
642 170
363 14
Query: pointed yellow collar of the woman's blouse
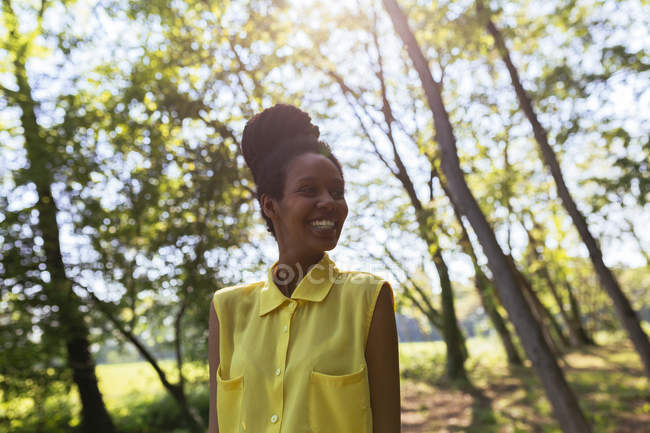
313 287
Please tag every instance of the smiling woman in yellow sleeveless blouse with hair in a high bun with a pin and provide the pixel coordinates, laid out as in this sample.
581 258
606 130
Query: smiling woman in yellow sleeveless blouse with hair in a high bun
312 348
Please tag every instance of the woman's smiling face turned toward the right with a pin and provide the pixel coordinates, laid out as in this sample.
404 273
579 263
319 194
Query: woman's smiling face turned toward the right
309 217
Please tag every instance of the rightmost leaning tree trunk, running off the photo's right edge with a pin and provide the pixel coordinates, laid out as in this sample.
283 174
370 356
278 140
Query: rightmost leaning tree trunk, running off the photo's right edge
626 313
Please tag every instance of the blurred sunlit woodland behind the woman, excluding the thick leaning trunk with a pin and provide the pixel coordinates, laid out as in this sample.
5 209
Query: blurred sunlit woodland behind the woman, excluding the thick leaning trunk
125 202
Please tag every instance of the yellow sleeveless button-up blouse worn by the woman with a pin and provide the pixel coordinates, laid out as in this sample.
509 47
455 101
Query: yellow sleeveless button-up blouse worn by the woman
296 365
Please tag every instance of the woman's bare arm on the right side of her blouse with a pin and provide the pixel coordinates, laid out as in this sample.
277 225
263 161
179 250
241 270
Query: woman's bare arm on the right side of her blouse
383 366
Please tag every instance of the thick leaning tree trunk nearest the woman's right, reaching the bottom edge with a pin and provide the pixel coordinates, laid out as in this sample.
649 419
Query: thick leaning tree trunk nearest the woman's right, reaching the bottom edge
563 400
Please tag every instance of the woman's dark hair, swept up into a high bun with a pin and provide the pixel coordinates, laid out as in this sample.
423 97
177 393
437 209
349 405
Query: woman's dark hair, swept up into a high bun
271 140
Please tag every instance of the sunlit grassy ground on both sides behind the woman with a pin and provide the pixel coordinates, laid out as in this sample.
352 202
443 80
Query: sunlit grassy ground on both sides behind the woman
608 379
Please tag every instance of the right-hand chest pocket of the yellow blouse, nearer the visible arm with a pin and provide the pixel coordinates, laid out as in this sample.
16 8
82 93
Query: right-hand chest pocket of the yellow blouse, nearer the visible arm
339 403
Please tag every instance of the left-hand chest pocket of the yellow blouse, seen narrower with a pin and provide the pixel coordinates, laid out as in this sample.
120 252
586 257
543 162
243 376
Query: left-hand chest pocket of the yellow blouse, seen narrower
229 403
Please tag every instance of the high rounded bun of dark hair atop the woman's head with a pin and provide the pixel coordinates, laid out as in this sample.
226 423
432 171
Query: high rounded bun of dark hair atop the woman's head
265 131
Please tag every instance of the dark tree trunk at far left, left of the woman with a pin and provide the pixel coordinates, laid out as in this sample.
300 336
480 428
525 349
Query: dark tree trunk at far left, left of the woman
94 416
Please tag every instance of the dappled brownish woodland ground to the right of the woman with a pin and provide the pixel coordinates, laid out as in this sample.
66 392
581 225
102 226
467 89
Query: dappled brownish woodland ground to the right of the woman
608 380
